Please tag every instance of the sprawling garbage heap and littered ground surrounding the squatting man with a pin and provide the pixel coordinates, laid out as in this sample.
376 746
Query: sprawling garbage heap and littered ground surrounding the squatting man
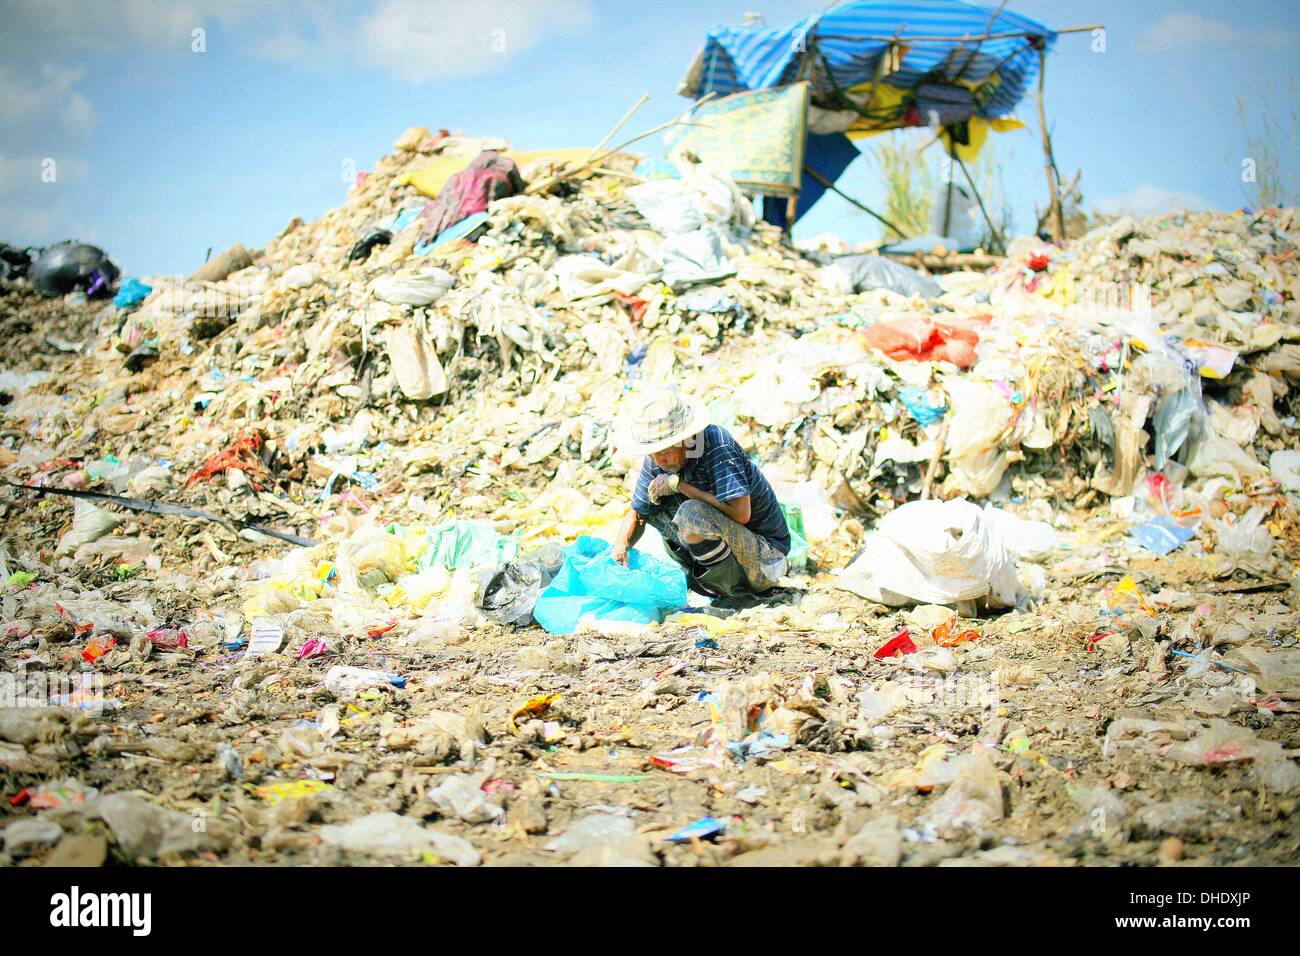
311 547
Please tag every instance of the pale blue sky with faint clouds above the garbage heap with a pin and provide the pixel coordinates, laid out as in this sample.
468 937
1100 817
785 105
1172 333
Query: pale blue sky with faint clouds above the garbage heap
162 152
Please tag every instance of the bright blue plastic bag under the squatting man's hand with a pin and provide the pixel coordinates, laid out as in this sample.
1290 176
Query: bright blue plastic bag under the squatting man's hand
591 585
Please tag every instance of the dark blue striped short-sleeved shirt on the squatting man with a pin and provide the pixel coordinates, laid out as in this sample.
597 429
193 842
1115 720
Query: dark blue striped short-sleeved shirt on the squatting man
726 473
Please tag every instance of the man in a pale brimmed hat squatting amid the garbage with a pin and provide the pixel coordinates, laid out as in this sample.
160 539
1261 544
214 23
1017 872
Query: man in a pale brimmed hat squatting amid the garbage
717 513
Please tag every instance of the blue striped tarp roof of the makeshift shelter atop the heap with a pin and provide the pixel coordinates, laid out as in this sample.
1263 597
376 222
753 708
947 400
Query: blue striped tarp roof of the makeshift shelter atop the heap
740 59
